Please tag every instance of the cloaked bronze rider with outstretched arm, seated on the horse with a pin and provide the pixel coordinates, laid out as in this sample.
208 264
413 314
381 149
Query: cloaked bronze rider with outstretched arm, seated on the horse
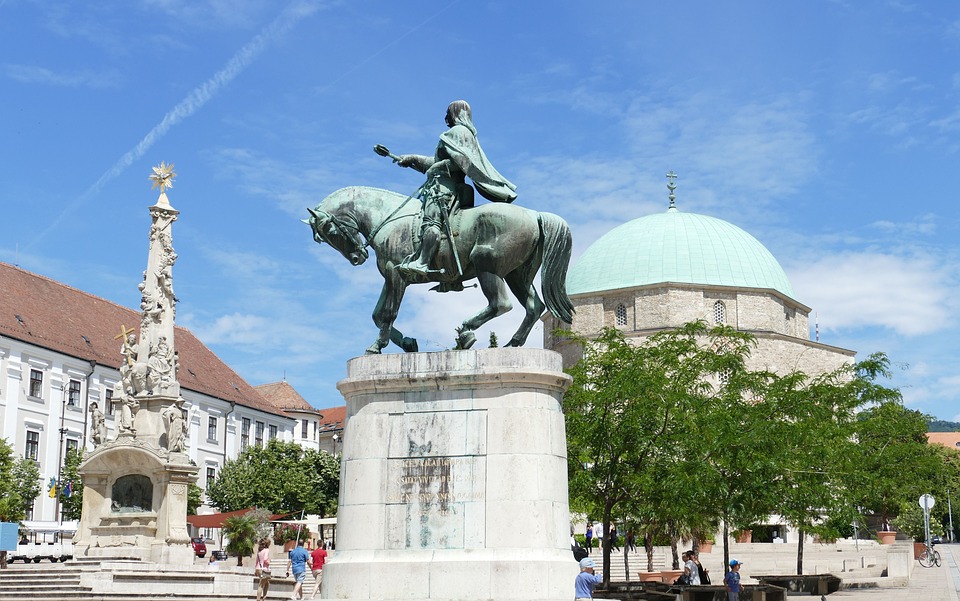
458 155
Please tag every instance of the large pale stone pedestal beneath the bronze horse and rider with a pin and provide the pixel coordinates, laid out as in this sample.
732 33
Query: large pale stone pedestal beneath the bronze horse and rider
453 478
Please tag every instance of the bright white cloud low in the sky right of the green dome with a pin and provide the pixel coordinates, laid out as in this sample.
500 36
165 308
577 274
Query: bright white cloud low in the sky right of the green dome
911 296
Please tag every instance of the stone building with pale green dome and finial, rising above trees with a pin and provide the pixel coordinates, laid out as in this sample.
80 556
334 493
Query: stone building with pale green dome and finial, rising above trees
663 270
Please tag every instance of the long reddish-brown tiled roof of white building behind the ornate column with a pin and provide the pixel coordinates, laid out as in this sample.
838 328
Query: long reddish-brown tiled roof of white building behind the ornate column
52 315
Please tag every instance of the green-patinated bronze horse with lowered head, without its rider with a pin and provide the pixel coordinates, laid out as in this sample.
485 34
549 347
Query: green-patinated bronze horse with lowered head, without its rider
500 244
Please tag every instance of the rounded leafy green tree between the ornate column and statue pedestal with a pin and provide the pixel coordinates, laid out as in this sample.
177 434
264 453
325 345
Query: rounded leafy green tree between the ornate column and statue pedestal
282 477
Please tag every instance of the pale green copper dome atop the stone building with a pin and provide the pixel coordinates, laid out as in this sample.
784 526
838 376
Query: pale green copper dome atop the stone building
676 247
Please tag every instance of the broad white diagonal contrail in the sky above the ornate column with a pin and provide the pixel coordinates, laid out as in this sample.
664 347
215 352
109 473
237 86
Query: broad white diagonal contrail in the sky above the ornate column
195 100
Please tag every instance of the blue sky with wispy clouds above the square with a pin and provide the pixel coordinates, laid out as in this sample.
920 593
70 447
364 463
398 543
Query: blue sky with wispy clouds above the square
828 130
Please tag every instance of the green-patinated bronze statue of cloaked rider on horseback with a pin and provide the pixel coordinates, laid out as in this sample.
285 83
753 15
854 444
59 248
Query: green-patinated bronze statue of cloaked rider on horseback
443 238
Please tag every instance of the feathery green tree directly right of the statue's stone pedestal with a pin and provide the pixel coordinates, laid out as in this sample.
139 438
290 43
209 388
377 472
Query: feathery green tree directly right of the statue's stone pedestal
627 414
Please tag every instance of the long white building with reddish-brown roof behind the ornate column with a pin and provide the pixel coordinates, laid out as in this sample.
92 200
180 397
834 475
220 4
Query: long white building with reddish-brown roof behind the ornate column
59 356
